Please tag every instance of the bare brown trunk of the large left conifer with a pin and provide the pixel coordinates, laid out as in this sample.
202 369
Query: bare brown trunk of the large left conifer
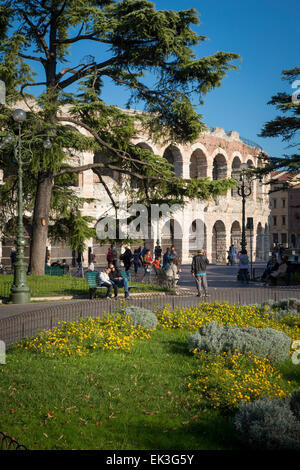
40 225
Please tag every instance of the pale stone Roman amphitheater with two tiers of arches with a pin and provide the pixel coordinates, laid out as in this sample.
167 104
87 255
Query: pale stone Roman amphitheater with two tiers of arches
213 225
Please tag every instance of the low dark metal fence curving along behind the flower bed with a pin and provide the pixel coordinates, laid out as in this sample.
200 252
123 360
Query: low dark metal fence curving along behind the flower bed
28 324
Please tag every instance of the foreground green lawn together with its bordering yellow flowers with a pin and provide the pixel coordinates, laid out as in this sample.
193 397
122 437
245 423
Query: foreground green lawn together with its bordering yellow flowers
143 398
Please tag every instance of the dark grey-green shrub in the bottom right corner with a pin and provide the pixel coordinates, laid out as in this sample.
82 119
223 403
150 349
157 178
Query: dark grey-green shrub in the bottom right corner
268 424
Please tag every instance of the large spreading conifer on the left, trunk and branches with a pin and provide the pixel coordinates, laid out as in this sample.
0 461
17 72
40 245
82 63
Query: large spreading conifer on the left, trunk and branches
131 41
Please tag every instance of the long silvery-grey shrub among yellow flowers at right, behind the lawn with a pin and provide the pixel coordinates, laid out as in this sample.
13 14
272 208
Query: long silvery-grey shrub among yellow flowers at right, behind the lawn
262 342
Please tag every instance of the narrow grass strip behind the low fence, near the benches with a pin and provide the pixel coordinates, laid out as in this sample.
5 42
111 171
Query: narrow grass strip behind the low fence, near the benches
52 286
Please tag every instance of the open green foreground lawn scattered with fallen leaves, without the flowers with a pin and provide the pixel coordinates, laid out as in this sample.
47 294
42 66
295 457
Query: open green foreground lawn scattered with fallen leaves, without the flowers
109 400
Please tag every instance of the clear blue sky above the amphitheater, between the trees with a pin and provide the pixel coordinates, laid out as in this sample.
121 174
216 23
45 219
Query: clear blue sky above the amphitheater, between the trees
266 35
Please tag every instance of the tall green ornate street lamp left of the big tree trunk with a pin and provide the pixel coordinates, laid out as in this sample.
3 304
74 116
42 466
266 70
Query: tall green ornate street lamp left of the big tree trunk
20 292
